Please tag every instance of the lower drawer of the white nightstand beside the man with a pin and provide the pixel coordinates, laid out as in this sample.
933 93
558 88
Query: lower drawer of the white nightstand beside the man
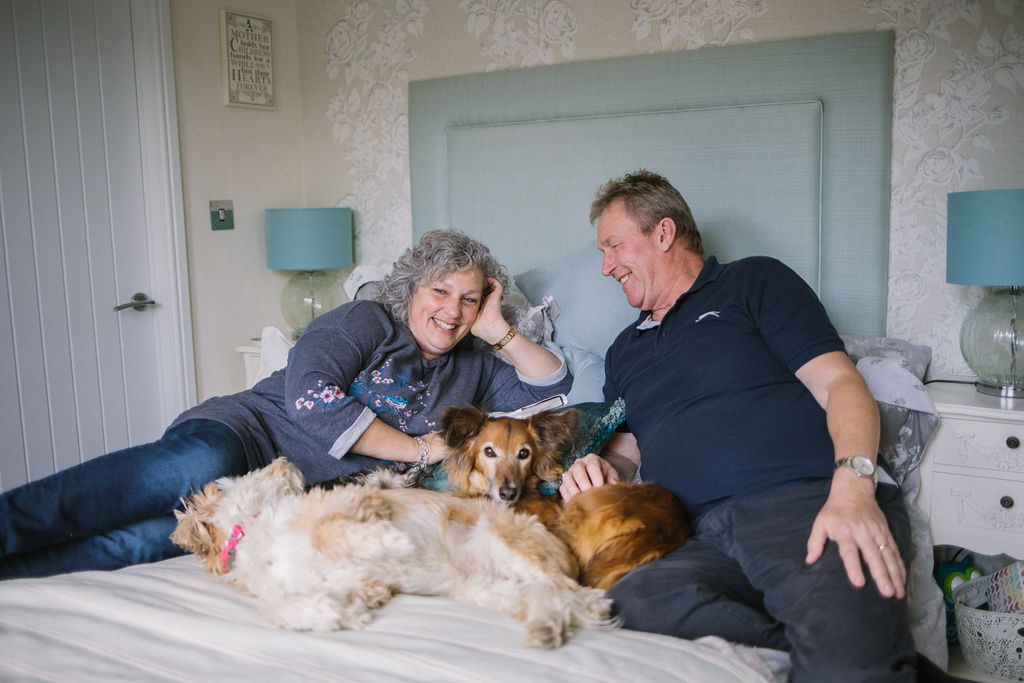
990 511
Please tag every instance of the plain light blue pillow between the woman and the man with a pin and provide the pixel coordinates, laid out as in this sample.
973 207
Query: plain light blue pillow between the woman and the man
592 308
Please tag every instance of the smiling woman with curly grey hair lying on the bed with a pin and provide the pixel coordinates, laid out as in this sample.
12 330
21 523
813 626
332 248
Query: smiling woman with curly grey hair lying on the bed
366 382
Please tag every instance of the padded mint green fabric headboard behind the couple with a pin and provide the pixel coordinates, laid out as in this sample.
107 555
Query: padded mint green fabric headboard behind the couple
781 149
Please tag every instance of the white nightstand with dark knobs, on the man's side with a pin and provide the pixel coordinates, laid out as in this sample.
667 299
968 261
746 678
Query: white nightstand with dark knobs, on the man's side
972 476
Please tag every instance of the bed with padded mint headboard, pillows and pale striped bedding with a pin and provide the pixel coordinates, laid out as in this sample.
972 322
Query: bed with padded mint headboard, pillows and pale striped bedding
782 149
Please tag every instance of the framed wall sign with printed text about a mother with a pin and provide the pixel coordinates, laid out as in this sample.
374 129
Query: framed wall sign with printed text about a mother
247 60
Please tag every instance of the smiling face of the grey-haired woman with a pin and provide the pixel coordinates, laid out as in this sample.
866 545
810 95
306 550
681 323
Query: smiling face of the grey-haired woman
443 312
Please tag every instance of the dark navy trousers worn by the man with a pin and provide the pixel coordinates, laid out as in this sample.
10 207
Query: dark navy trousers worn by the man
743 577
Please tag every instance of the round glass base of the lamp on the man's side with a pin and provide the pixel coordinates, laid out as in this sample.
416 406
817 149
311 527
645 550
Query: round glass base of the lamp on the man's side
993 345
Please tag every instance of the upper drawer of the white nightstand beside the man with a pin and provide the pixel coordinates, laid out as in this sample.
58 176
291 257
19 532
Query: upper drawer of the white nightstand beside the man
982 445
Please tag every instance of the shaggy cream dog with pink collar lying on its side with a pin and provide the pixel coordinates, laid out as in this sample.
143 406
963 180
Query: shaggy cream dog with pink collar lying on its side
322 561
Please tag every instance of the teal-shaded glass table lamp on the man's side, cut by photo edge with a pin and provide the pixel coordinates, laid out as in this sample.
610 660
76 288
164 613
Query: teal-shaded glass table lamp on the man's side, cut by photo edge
986 246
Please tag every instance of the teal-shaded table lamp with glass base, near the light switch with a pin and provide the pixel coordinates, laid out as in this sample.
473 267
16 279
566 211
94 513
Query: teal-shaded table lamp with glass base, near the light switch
310 241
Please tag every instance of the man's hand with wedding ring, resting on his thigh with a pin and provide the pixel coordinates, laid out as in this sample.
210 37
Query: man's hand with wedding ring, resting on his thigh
854 520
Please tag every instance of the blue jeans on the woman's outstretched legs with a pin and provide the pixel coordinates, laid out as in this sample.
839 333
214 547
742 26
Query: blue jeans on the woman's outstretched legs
114 510
